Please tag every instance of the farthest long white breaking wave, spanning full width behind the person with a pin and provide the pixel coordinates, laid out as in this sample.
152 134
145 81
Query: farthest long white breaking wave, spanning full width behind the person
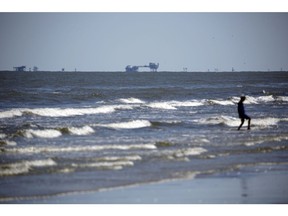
131 103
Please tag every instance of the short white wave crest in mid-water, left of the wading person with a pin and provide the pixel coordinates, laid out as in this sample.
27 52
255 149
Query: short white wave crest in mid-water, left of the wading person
128 125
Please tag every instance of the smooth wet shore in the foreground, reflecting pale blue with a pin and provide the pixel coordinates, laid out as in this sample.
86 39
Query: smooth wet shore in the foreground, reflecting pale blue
249 188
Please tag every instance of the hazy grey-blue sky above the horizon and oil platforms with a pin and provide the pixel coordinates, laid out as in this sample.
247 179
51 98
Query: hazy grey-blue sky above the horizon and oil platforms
110 41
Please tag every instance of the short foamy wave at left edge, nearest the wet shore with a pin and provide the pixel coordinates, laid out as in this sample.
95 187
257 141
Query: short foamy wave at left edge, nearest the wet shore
24 166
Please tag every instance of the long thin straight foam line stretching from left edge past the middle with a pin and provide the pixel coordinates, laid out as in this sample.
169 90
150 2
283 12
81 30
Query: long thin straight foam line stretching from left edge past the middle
37 150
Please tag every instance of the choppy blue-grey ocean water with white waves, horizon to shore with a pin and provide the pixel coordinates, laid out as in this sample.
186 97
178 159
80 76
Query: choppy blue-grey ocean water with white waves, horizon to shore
63 133
